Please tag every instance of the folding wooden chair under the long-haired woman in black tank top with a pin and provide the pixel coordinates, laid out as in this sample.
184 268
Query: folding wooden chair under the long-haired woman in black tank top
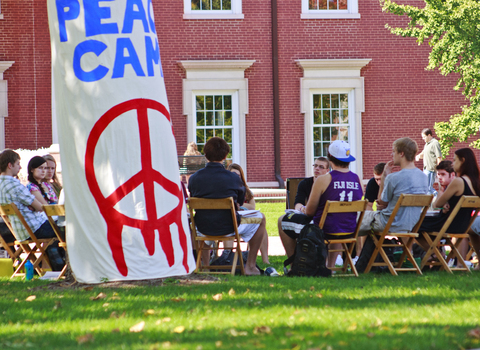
472 202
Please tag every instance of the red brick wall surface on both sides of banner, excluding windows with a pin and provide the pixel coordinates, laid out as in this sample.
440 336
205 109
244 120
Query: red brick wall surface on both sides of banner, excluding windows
401 98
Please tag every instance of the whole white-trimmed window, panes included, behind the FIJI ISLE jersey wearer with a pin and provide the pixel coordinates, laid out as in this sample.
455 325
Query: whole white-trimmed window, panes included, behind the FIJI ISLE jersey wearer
332 99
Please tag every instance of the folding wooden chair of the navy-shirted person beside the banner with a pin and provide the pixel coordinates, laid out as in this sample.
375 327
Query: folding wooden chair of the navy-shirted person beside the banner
199 240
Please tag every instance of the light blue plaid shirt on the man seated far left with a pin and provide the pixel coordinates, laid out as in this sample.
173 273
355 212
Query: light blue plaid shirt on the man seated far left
12 191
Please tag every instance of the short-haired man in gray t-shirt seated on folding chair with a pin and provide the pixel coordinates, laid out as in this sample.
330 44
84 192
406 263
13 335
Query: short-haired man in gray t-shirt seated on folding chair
409 180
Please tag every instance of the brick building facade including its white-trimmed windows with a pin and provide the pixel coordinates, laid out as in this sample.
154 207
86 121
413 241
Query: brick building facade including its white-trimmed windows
341 74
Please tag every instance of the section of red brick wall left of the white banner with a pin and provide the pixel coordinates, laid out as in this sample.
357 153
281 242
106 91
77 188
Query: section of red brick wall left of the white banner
25 39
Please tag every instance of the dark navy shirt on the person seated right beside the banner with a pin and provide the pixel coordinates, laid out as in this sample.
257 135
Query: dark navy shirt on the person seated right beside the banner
214 181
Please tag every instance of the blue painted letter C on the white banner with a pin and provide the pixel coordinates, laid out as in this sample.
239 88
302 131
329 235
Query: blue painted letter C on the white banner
96 47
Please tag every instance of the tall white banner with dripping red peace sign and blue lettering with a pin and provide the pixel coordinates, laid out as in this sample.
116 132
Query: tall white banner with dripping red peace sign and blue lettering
125 210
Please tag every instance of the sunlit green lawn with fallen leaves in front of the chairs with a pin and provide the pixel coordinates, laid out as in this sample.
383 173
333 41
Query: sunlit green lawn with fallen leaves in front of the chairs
433 311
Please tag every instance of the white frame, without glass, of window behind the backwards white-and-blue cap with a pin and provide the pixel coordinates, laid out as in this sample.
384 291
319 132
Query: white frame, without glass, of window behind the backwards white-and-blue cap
334 75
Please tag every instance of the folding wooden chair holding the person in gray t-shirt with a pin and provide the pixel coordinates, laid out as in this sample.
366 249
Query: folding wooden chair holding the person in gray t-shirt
405 200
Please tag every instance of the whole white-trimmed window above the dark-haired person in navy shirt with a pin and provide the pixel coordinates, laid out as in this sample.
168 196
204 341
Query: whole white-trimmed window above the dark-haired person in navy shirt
215 101
